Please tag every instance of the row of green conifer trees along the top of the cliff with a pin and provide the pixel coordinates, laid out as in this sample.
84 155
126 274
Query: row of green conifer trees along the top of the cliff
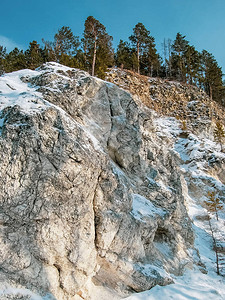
94 53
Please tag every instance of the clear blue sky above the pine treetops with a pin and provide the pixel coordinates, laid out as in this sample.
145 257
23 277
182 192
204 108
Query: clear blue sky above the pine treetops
202 21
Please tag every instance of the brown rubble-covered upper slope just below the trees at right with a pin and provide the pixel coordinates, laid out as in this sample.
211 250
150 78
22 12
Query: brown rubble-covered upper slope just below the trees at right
170 98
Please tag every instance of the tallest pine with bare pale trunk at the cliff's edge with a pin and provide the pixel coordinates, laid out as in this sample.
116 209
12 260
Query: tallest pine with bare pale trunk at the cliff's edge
97 45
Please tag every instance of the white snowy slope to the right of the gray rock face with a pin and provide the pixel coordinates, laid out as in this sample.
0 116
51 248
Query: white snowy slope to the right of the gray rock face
194 285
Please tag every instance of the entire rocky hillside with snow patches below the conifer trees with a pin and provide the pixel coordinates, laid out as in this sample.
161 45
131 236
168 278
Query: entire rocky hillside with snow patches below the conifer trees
102 189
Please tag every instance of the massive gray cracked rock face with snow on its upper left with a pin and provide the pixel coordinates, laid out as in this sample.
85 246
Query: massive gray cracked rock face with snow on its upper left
90 196
